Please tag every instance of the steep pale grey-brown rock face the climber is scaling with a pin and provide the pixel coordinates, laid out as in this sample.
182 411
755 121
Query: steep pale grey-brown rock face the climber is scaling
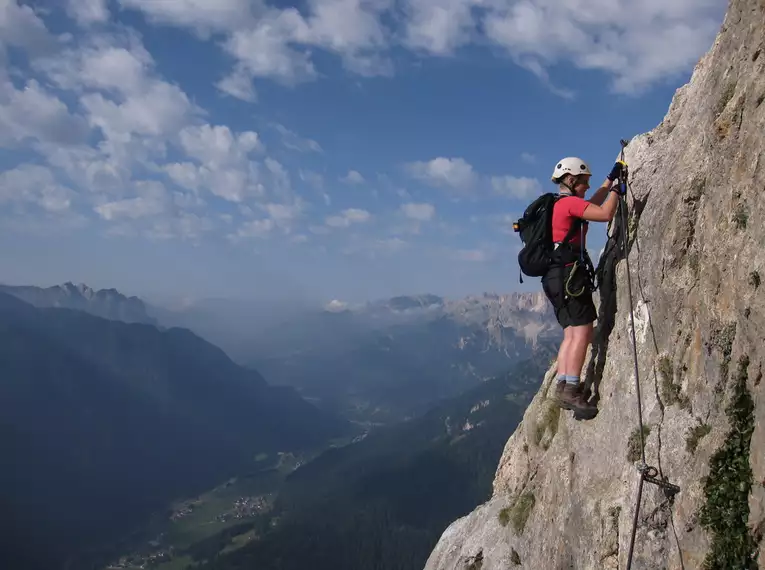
565 491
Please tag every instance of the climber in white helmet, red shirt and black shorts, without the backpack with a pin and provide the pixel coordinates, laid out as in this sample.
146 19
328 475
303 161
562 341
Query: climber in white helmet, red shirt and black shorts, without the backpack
568 281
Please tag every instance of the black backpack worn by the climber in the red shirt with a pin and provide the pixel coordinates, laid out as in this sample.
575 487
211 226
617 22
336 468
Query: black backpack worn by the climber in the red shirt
535 228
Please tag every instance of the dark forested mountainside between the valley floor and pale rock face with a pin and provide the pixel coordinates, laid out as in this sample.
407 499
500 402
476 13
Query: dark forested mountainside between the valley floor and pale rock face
379 502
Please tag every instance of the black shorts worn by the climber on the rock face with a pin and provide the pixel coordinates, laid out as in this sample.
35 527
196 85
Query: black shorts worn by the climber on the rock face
570 311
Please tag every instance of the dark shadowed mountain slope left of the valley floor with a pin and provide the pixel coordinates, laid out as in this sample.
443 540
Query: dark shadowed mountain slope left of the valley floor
104 422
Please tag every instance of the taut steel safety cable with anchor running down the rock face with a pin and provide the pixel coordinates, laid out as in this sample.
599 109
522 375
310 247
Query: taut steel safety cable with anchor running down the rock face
647 472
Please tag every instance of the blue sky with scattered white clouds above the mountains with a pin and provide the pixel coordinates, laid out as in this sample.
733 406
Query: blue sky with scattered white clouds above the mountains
335 149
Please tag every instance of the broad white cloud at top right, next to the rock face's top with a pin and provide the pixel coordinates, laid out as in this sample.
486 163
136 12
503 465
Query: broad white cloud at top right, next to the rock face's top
637 43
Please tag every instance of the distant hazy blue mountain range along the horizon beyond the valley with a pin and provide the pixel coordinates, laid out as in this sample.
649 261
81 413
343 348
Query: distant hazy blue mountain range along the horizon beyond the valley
376 362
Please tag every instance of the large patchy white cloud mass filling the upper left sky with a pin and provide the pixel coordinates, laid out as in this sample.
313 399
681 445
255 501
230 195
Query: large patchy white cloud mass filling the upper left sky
142 119
